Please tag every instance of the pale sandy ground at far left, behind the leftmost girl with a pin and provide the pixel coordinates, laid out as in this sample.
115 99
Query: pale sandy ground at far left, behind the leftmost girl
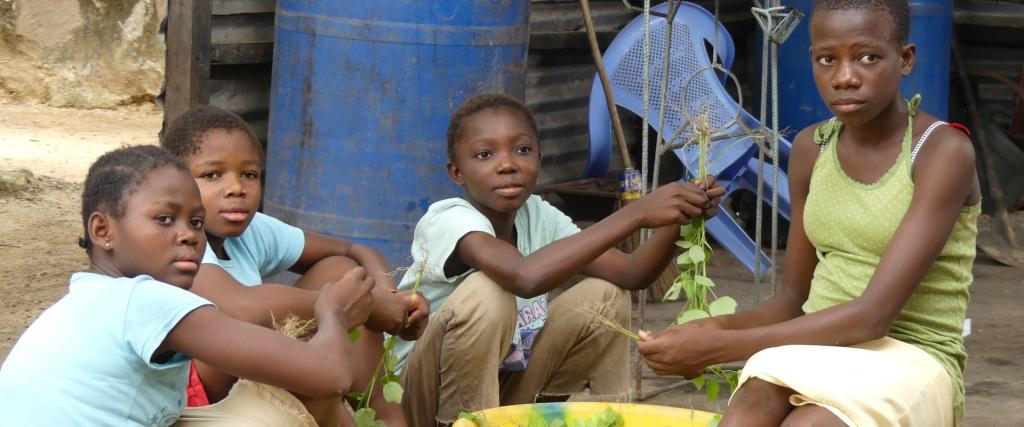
40 227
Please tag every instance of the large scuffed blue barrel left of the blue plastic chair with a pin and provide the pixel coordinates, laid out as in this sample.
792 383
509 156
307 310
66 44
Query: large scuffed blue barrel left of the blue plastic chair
361 99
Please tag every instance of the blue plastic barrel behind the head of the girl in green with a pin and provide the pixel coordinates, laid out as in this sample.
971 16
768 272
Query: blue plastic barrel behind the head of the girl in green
931 29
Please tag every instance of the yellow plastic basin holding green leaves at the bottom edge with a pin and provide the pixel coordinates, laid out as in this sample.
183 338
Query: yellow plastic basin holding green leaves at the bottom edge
634 415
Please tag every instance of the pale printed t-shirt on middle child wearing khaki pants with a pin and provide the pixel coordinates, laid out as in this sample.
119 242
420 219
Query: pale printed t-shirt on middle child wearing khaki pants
537 223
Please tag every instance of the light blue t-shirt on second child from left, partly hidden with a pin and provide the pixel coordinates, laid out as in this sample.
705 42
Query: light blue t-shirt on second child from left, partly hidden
267 248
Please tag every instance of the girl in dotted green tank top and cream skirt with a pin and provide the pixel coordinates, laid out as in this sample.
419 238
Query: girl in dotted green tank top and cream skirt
882 242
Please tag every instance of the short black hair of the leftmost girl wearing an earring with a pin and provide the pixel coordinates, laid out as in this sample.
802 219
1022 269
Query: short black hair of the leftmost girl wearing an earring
115 177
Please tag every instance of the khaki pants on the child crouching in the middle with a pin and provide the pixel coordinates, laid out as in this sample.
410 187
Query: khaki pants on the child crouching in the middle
455 365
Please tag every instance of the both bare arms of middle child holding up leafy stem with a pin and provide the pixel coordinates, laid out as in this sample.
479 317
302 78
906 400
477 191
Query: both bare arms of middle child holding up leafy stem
589 250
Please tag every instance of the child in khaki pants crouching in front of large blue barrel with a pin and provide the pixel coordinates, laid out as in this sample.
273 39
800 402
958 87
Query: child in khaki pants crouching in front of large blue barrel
489 261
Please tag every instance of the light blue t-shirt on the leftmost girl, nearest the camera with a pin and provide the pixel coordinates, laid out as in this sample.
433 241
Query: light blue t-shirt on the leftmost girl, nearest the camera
87 361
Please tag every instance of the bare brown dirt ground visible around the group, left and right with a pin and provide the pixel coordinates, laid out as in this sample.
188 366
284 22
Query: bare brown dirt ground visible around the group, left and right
40 228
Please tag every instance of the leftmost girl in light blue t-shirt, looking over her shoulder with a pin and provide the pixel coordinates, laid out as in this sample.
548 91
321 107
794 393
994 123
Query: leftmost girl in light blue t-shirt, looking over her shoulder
116 350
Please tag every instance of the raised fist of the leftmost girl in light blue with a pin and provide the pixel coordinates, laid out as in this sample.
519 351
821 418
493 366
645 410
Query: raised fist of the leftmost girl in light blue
348 301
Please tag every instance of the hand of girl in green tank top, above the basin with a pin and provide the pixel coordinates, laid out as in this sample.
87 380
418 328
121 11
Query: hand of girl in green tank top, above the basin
680 350
